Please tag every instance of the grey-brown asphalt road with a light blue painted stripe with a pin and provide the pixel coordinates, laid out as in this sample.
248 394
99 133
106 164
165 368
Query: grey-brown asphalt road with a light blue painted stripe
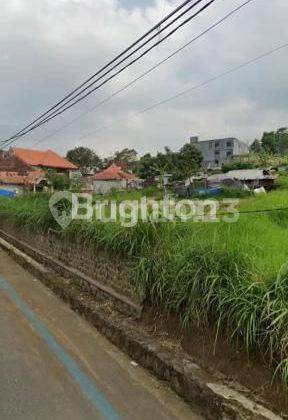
54 365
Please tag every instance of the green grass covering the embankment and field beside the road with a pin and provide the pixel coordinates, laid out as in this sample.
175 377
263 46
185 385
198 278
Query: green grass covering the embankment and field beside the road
234 276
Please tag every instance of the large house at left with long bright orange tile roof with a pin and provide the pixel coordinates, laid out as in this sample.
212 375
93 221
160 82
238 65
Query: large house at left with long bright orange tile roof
41 160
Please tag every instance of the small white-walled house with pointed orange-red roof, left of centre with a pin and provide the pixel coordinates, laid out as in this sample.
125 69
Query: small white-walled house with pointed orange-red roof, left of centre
113 178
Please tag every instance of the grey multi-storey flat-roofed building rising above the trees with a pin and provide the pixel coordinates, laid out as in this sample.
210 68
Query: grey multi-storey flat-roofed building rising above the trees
217 152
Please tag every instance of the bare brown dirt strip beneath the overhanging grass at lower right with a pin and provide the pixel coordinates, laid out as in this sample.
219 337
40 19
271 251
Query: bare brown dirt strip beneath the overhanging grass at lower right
220 357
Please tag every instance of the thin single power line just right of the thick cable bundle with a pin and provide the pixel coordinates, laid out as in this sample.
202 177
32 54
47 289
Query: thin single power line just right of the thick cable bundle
147 72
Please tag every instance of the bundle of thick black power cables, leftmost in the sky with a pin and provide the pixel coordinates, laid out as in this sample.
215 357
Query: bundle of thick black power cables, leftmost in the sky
58 106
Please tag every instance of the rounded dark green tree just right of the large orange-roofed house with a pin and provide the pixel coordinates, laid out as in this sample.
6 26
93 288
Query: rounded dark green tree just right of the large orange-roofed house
85 158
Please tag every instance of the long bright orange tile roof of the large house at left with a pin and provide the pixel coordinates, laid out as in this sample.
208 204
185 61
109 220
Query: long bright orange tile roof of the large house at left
47 158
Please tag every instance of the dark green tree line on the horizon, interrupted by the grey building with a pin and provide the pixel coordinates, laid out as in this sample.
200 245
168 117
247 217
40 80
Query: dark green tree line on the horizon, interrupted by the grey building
180 164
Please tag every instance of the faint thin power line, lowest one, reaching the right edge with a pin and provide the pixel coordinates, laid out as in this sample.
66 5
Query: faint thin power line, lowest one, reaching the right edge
195 87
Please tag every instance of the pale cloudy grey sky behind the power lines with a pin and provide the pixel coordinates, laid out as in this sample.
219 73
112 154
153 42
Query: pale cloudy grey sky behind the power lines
48 47
